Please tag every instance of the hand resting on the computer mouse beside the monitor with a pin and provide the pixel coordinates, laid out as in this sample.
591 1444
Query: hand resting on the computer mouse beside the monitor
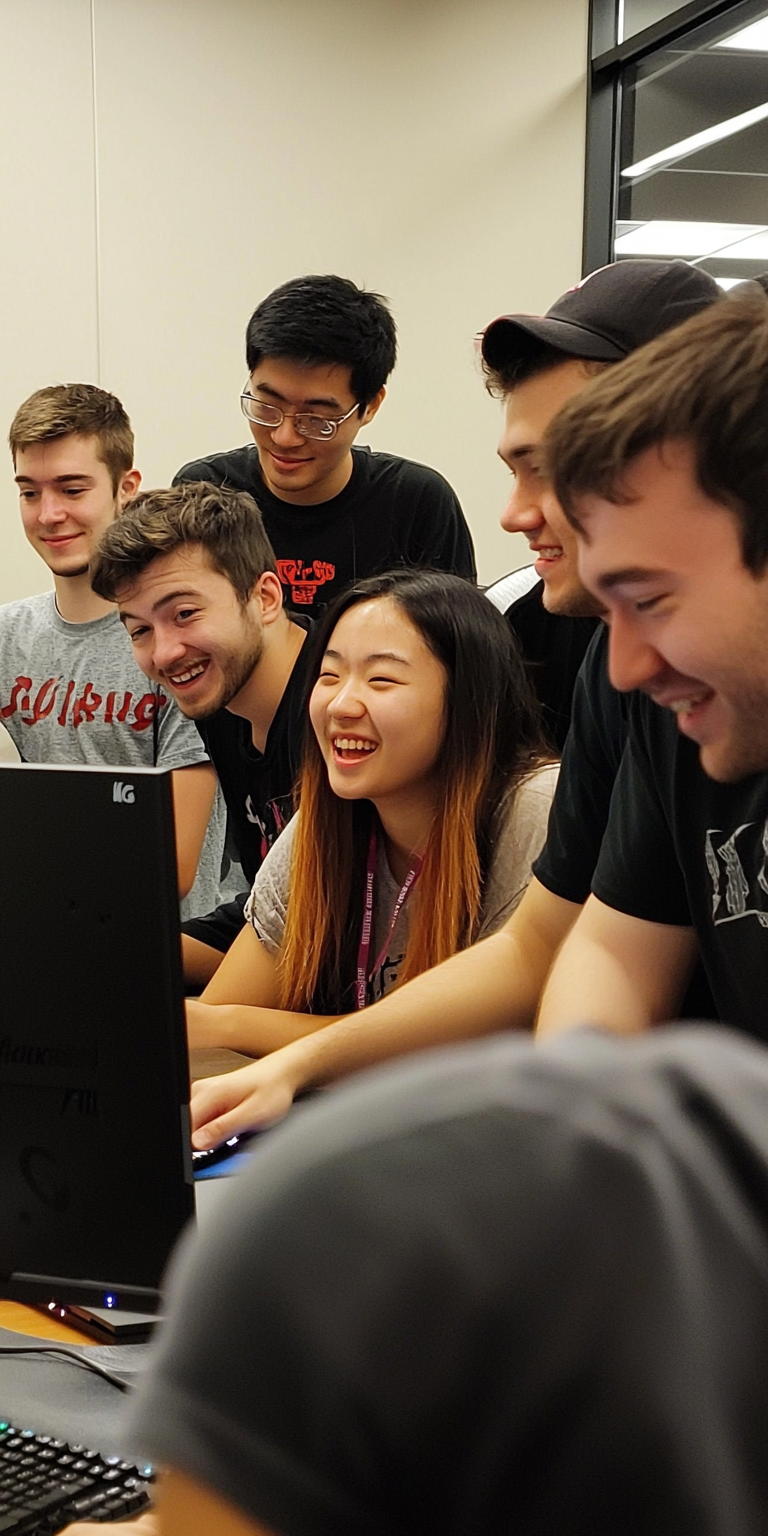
245 1101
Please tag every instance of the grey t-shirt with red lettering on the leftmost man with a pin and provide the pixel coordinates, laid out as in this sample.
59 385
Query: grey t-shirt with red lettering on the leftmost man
73 694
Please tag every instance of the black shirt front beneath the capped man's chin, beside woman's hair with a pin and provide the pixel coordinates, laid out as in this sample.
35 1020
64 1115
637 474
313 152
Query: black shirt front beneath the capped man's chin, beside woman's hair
554 647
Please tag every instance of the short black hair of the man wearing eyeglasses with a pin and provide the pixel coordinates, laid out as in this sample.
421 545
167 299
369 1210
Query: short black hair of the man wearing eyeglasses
326 320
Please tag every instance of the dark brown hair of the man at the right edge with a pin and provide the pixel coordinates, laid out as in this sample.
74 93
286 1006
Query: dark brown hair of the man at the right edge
704 383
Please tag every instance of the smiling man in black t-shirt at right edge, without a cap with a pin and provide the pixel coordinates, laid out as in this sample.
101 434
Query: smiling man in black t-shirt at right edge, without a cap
663 471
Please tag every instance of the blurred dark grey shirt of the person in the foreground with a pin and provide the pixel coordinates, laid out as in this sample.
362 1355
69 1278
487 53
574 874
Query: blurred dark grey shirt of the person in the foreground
497 1289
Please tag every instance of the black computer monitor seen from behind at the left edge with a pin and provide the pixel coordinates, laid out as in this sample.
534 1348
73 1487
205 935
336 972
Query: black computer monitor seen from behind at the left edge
96 1170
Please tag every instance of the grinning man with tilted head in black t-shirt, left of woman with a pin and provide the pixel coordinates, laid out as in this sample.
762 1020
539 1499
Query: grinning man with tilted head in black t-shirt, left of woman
194 578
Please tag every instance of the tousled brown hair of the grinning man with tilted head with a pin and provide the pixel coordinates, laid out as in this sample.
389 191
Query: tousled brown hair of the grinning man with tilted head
225 523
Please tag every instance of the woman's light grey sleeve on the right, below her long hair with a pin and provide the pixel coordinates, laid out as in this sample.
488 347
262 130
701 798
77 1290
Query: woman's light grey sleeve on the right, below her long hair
520 841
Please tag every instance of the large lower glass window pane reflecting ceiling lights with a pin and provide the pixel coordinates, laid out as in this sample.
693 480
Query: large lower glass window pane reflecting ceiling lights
694 177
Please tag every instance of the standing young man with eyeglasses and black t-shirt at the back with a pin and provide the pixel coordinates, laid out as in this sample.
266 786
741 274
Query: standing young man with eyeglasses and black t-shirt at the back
319 356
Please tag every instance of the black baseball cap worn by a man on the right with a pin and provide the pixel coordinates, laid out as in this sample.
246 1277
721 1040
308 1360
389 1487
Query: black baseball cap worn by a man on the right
607 316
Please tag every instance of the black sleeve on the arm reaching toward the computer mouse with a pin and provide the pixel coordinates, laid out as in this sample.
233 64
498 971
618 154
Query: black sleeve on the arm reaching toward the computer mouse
591 763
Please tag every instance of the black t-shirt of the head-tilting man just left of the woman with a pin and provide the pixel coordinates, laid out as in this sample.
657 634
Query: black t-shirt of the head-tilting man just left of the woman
257 787
